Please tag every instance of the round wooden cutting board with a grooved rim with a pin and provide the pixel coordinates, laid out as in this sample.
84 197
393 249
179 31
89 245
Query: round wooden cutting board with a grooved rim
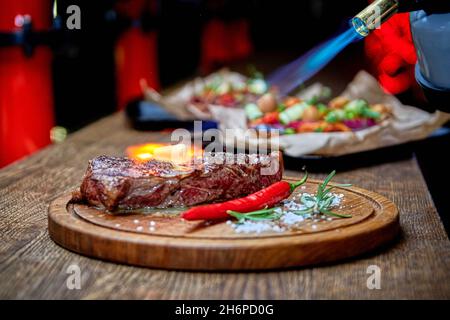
163 240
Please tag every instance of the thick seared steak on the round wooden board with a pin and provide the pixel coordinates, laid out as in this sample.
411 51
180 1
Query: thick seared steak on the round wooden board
122 183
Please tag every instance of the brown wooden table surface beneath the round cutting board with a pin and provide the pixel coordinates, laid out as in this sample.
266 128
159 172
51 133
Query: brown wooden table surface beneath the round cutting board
417 265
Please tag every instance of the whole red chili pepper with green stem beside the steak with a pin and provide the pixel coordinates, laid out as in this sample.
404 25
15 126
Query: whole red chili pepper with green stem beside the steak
264 198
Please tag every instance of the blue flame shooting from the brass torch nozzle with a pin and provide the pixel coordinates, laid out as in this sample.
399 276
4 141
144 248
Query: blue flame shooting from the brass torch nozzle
297 72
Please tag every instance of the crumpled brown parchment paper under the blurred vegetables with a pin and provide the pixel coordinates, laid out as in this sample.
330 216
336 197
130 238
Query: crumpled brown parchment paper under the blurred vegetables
407 123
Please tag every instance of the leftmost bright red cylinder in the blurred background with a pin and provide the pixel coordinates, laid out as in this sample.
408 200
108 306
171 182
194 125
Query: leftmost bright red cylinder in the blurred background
26 96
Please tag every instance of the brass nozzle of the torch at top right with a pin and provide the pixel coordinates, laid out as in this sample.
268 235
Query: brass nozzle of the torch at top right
374 15
